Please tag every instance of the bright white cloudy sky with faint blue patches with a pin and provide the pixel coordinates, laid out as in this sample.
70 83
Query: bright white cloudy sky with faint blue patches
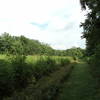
55 22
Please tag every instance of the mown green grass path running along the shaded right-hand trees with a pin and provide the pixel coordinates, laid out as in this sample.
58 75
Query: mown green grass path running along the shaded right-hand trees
80 85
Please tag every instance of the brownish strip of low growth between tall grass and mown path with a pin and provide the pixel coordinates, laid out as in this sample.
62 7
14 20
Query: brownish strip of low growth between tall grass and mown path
45 88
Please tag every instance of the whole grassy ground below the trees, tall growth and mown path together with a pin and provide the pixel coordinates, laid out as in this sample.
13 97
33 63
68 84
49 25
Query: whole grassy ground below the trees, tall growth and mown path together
46 78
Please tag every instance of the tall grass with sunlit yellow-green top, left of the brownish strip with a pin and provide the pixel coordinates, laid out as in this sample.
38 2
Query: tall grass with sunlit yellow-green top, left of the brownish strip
19 71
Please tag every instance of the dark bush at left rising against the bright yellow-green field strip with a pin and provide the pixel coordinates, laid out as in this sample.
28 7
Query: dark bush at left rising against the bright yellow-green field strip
22 72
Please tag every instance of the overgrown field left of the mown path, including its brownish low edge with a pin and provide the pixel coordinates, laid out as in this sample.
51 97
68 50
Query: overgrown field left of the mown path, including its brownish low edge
33 74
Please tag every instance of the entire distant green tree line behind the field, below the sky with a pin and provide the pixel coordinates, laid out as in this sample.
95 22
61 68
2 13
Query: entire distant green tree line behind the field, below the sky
25 46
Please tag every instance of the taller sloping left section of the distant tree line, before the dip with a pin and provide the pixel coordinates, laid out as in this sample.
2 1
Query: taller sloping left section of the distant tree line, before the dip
22 45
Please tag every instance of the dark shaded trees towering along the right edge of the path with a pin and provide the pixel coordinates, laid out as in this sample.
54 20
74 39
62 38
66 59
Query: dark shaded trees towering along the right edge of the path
91 32
